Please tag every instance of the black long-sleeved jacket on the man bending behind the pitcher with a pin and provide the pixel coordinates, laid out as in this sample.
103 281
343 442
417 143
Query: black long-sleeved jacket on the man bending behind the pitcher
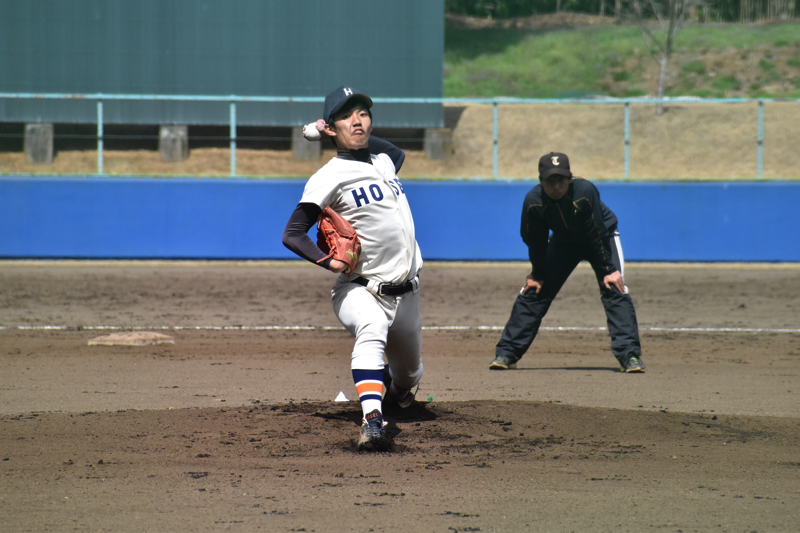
579 217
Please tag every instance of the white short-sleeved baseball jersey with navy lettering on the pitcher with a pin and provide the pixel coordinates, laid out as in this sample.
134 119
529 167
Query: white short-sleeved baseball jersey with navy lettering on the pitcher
372 199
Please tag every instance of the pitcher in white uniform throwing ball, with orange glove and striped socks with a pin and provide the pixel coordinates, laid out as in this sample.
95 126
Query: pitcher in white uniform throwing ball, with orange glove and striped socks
376 295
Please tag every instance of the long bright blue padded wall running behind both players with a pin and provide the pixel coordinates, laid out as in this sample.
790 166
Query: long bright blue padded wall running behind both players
191 218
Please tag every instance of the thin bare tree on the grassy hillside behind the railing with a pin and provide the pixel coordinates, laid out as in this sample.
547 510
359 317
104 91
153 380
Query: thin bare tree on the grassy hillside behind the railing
659 22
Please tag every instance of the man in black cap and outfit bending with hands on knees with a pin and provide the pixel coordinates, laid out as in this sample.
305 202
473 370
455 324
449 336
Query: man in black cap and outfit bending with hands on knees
583 229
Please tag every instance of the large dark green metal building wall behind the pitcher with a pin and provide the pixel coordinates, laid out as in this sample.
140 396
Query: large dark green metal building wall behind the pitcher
215 47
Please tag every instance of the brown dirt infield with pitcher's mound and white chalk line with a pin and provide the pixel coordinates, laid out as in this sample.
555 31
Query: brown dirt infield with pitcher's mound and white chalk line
234 428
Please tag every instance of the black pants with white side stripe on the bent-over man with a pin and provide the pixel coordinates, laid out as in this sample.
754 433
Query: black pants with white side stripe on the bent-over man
529 309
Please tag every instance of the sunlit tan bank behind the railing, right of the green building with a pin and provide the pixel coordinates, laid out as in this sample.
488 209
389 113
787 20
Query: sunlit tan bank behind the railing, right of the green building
707 140
